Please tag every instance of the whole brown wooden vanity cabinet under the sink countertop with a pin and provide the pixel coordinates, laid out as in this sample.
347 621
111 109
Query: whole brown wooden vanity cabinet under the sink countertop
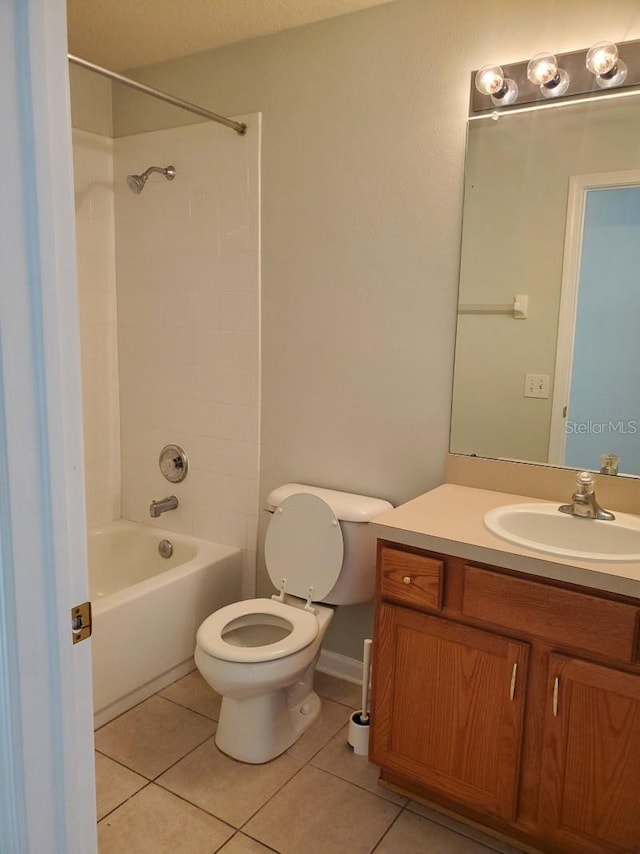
510 699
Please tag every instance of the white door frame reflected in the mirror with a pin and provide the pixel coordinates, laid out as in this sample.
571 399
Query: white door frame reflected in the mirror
576 206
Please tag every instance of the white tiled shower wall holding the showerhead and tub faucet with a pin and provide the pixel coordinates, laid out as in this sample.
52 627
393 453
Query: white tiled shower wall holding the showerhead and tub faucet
187 261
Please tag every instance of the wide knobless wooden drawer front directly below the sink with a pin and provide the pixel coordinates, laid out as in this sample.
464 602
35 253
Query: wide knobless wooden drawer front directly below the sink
563 617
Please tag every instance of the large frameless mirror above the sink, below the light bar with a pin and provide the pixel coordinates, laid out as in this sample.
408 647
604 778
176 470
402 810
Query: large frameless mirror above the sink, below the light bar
551 212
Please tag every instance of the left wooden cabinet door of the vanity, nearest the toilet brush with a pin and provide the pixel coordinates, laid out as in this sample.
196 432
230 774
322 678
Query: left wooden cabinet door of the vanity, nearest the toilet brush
448 707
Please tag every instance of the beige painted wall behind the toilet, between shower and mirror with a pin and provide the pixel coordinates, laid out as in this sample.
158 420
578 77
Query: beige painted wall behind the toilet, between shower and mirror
363 153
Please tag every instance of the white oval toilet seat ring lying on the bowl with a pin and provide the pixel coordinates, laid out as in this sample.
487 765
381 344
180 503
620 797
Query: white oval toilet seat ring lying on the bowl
304 630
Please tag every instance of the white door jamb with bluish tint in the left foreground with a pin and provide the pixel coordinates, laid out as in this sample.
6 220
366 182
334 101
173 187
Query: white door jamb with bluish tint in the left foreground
47 793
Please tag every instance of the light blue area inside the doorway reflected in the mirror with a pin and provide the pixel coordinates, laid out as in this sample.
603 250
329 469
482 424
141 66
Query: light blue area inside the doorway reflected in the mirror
604 398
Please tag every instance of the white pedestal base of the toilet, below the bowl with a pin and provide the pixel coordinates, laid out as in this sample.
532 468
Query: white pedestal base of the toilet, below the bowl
258 729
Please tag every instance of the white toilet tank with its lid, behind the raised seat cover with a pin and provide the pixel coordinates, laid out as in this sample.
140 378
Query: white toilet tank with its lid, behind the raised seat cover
357 579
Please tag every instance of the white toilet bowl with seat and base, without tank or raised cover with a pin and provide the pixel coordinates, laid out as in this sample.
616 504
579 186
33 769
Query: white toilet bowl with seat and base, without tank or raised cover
260 655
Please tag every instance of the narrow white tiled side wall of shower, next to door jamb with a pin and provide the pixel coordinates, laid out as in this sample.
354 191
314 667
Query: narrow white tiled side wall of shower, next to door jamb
93 179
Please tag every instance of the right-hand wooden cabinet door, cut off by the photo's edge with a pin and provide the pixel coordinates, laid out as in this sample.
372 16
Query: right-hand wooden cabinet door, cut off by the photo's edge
590 800
